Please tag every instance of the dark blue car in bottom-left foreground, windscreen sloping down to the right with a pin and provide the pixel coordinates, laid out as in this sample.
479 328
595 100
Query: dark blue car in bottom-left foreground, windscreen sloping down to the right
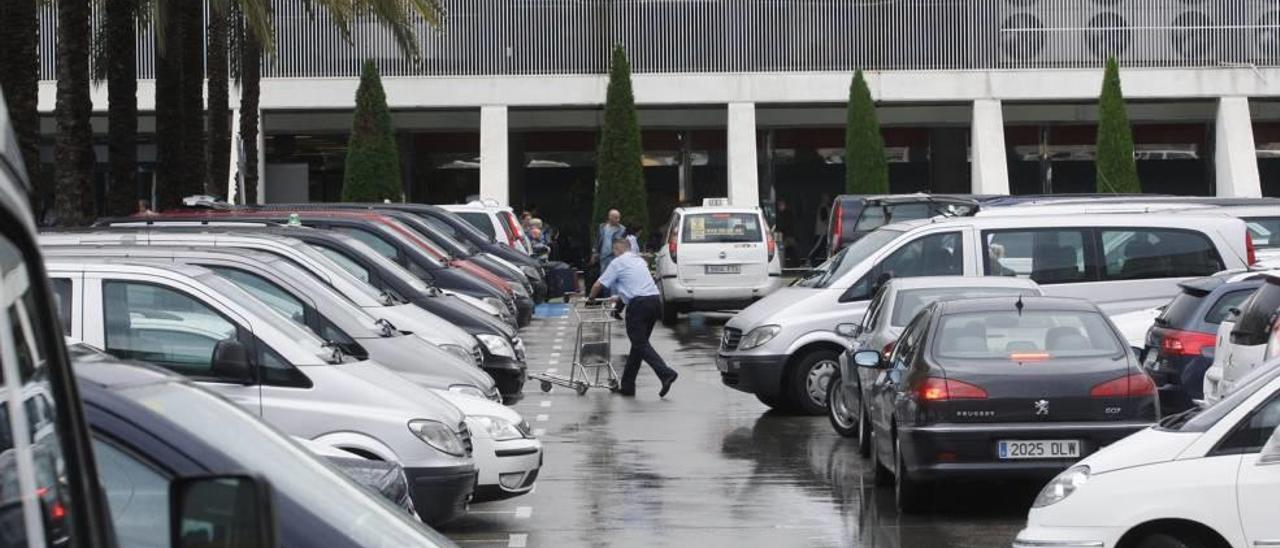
150 426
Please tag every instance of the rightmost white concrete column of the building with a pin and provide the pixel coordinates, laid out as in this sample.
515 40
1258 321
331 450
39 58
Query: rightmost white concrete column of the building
1236 157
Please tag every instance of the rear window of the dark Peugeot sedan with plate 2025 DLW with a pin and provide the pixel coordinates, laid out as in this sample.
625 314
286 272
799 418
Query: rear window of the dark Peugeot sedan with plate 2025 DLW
1027 336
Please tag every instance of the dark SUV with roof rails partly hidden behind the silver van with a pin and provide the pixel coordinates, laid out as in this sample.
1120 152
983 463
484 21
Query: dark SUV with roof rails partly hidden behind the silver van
854 217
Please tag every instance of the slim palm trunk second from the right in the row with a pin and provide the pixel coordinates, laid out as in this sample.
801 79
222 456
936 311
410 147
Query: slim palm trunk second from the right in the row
220 116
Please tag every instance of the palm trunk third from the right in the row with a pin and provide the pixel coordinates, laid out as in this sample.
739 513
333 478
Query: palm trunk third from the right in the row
195 167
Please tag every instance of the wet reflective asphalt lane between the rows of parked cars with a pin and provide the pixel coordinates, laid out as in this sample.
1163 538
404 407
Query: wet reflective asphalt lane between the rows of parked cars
710 467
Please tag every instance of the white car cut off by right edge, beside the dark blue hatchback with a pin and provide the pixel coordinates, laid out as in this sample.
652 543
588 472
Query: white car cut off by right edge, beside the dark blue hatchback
1242 340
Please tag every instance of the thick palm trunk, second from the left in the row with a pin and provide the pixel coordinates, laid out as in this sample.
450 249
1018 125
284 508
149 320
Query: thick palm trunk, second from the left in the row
74 168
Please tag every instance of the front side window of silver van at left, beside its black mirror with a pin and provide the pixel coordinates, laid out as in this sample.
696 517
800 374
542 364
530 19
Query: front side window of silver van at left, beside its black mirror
166 327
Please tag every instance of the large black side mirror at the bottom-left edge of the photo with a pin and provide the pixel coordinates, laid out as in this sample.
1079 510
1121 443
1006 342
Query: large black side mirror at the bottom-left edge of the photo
222 512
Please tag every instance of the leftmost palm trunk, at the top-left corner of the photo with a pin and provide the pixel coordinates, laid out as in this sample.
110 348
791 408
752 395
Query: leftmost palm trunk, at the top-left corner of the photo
20 77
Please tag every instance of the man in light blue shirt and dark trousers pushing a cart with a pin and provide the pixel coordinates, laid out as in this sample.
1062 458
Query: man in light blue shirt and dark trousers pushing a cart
629 278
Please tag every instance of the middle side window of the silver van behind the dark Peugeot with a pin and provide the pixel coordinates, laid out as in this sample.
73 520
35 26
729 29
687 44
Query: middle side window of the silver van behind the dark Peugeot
1046 257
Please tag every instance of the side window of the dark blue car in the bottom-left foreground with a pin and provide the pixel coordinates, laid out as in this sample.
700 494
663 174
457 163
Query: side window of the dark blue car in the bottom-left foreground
138 495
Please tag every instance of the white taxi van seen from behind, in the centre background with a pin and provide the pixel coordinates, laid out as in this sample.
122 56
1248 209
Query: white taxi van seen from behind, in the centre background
716 259
